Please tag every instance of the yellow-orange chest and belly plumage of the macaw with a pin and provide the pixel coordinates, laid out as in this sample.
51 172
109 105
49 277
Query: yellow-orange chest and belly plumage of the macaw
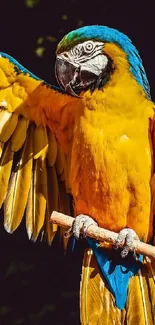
111 156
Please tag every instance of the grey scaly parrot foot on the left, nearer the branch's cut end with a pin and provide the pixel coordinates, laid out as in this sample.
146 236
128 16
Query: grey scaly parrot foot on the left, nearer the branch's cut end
81 222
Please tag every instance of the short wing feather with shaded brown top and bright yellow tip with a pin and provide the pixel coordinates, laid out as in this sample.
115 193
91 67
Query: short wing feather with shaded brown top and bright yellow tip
40 142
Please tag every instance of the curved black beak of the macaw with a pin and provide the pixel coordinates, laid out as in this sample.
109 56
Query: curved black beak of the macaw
67 75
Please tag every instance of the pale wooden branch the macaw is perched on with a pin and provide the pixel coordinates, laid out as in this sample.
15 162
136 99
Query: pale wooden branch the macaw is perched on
102 234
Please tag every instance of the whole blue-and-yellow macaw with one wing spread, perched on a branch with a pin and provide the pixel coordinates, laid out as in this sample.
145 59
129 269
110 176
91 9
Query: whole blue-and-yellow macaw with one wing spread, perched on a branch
93 138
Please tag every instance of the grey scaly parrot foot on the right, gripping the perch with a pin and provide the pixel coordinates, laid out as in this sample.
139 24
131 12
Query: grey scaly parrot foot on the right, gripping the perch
126 235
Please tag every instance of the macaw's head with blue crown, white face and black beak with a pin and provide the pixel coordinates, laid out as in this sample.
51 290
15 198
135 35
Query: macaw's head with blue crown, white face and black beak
87 58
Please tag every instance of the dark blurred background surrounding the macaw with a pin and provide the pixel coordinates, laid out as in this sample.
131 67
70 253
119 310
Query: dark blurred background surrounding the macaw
38 285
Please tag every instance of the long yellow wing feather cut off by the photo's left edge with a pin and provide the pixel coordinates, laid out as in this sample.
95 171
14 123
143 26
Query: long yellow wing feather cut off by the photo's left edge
5 170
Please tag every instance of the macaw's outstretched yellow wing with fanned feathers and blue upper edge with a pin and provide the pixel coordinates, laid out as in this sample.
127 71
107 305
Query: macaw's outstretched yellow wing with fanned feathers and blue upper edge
33 166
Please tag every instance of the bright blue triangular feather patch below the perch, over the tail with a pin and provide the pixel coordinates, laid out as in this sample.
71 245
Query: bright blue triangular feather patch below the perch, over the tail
115 270
